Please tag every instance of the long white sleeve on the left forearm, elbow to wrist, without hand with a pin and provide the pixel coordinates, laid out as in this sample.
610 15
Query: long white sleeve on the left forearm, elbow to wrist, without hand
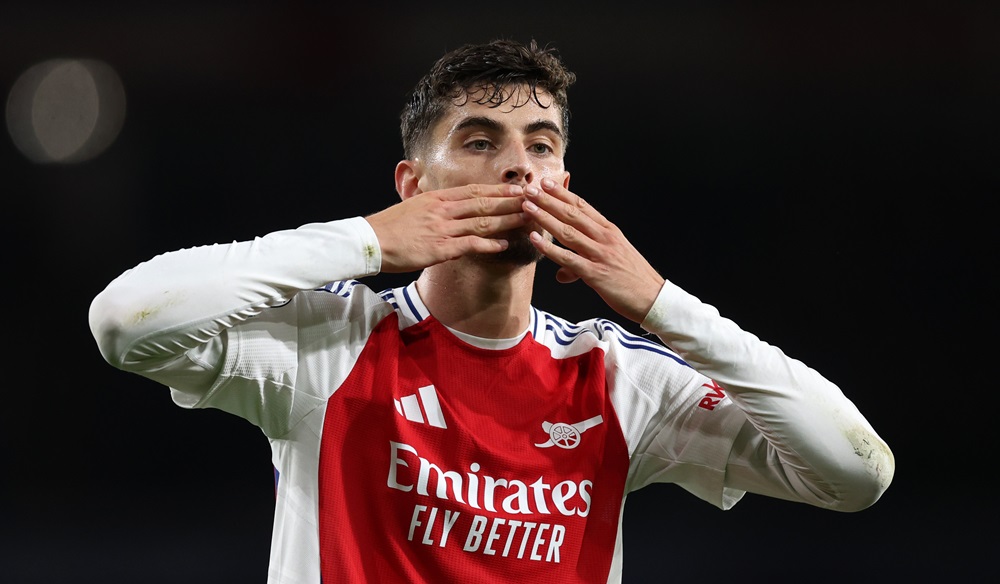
179 300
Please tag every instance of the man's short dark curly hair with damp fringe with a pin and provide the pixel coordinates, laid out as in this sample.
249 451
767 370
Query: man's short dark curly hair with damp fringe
489 73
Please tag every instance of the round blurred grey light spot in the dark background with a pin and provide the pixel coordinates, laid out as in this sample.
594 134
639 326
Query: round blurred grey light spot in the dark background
66 110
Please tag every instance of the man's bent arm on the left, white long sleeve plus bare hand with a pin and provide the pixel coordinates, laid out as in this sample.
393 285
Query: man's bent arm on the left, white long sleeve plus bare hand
179 300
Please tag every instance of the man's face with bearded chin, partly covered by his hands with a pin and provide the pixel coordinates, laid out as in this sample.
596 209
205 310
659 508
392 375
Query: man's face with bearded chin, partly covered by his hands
518 142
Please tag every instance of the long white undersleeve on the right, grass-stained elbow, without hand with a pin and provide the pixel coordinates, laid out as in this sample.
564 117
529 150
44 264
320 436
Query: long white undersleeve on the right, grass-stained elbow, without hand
802 439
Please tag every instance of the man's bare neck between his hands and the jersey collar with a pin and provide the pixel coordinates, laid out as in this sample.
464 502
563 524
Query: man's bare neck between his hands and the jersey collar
480 299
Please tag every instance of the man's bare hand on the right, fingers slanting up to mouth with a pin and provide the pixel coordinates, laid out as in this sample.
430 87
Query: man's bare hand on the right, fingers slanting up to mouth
595 251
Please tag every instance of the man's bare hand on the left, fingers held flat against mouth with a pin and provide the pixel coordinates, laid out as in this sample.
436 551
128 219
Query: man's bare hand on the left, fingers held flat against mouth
437 226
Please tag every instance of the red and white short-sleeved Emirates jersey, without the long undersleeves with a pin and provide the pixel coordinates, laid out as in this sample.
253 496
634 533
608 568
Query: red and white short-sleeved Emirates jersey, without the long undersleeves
407 453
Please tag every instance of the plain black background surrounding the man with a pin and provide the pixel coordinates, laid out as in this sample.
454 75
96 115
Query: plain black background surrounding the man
823 173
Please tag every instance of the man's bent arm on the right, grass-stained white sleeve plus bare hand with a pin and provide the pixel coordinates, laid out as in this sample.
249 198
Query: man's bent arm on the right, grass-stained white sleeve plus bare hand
806 441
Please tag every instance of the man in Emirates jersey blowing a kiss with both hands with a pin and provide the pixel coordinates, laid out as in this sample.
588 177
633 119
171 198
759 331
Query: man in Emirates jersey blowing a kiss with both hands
449 431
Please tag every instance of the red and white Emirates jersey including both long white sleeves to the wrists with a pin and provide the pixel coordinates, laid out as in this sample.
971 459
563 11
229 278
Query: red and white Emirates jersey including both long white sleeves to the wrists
408 452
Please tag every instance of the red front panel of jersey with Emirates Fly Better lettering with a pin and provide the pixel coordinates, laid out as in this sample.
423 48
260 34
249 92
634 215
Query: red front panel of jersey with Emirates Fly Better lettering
474 464
